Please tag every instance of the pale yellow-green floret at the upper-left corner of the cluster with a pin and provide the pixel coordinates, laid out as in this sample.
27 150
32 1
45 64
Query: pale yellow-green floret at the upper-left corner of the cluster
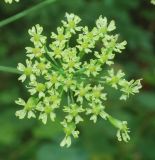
36 37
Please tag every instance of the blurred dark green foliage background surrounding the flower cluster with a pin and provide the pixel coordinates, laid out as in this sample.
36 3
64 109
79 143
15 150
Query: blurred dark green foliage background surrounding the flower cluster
30 139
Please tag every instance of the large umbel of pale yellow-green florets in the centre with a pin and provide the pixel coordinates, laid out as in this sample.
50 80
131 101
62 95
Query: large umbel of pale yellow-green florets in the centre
61 69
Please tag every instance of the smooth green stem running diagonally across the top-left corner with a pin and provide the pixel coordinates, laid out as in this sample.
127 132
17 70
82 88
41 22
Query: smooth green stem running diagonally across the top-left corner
25 12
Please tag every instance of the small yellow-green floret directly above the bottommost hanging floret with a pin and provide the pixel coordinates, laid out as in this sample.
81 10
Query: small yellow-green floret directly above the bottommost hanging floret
73 112
